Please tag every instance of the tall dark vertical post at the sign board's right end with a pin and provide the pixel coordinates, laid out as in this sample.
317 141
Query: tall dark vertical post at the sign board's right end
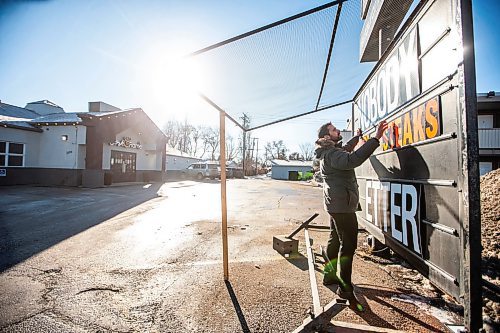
470 209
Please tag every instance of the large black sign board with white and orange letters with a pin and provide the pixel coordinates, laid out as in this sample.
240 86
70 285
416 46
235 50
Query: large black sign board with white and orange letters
419 191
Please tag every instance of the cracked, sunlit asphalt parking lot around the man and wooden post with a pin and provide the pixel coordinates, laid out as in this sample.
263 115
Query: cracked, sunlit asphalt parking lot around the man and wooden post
147 258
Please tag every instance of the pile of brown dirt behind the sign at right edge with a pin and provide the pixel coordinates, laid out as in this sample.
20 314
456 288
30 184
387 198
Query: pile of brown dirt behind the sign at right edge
490 236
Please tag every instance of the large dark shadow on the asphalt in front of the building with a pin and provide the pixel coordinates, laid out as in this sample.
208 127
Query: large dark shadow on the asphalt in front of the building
32 219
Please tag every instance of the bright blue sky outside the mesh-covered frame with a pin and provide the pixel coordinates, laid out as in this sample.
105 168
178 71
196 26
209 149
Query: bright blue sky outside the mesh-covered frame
72 52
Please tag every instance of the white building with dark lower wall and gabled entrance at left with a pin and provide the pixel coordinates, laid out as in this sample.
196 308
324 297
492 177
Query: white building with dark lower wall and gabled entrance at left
42 144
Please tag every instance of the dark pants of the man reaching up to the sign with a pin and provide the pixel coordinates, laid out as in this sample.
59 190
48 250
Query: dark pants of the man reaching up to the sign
341 246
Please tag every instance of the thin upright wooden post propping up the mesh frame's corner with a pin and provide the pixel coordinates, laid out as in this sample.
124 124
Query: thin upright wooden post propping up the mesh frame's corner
223 192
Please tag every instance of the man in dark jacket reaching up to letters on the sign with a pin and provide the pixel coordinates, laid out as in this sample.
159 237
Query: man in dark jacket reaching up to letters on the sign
341 201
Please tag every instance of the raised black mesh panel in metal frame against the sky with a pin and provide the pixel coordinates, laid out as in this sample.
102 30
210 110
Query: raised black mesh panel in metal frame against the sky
305 63
